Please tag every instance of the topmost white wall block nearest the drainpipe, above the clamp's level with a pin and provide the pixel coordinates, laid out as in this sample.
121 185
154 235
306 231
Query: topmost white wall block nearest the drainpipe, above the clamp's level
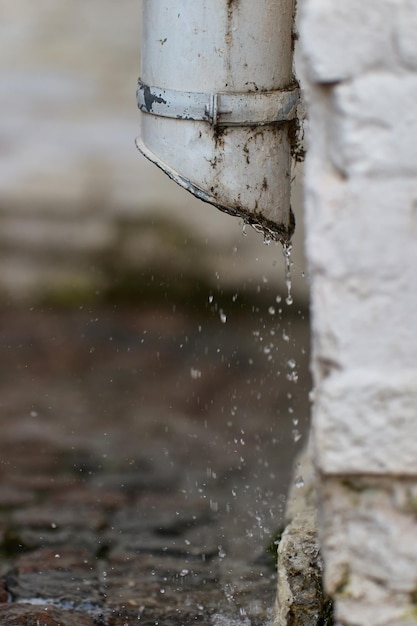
343 39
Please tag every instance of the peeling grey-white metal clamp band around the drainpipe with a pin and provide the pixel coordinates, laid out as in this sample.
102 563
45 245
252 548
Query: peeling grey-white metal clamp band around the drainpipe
220 109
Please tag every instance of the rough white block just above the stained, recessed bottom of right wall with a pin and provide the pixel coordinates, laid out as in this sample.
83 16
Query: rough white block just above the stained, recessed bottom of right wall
365 422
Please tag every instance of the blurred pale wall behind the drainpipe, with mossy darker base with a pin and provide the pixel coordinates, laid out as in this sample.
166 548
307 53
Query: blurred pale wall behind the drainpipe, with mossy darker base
75 195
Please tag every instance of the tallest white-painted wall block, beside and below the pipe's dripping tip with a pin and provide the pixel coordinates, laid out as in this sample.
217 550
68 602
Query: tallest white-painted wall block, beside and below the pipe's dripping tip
362 246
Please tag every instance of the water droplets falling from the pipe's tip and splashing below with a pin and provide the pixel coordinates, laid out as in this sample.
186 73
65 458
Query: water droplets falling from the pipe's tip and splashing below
258 532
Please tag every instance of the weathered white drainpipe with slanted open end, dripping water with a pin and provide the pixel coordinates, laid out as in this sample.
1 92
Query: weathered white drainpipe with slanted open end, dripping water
217 95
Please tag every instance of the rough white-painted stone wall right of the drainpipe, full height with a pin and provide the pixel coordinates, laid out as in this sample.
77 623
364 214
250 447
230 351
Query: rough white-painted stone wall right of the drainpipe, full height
360 66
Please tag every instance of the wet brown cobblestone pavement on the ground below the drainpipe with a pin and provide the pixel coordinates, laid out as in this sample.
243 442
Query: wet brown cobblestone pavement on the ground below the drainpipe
145 454
